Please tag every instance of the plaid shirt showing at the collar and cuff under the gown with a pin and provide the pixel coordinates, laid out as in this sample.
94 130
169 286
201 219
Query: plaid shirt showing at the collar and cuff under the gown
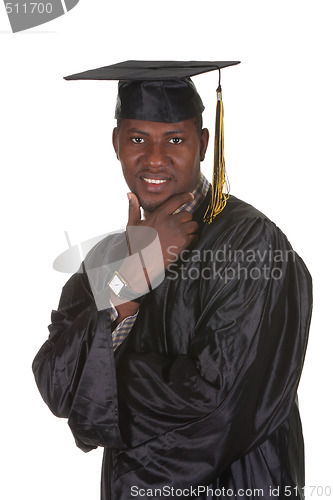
120 333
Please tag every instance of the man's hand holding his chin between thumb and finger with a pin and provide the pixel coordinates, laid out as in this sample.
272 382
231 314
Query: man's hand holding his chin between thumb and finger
176 231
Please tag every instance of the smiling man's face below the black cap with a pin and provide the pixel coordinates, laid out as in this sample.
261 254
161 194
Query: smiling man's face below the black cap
159 160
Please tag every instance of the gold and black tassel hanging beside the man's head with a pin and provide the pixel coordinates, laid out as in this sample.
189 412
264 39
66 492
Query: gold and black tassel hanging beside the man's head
220 184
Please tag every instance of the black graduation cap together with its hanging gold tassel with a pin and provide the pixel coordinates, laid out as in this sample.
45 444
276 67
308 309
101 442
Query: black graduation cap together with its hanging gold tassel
163 91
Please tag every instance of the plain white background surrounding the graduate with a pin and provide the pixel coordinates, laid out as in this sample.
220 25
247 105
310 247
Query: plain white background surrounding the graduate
58 172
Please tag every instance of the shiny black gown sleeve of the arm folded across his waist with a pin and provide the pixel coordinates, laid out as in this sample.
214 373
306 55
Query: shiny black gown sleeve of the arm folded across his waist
185 419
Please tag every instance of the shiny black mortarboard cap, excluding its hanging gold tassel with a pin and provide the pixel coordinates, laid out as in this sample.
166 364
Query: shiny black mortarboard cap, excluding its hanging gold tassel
159 91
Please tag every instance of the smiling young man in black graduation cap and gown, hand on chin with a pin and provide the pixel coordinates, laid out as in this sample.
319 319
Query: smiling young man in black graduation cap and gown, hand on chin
188 382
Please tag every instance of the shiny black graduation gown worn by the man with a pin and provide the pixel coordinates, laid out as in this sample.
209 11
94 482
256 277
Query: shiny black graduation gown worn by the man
203 391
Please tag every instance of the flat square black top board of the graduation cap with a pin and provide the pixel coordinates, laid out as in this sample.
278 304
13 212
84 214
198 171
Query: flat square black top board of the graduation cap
151 70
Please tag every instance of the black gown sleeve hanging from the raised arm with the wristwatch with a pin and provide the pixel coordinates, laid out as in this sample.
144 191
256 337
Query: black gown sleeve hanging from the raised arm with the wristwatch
74 369
